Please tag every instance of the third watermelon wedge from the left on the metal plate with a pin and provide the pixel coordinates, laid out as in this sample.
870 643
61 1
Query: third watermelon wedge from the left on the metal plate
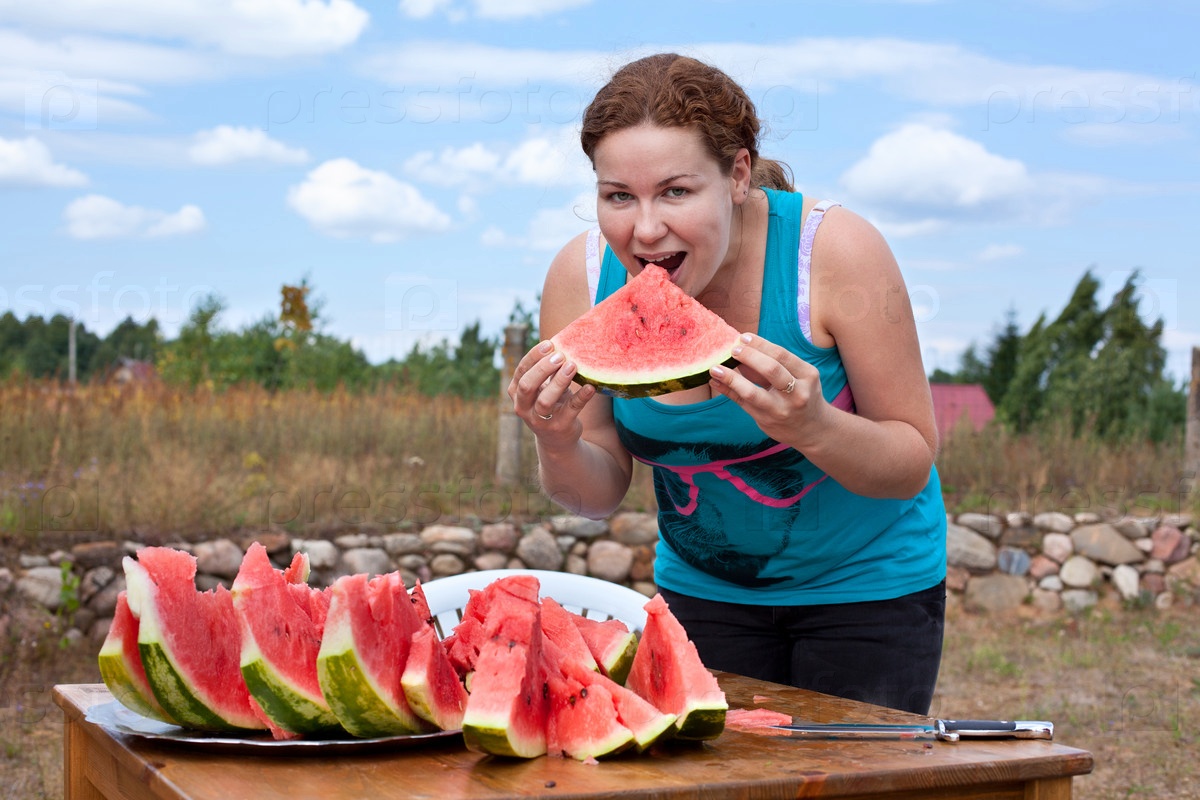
283 621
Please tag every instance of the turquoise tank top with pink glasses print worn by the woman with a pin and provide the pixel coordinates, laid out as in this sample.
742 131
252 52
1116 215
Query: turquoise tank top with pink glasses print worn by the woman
747 520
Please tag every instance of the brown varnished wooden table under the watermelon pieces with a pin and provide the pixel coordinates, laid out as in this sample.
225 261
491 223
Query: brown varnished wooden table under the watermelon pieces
101 765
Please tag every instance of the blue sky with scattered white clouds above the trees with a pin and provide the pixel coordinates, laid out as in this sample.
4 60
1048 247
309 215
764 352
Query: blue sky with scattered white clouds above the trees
418 161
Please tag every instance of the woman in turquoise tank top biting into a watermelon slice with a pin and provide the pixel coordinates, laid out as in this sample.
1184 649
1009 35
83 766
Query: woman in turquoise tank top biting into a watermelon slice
802 530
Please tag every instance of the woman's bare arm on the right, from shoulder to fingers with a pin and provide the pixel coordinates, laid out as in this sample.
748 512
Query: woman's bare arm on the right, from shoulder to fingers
860 303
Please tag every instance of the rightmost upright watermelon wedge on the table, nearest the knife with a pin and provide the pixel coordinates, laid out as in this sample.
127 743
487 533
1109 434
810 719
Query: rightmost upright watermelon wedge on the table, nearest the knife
669 673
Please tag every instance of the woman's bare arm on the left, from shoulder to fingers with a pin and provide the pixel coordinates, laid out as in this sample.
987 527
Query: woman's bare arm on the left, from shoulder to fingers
581 462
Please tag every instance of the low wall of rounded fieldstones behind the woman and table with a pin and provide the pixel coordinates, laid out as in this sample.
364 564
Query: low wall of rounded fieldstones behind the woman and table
1054 562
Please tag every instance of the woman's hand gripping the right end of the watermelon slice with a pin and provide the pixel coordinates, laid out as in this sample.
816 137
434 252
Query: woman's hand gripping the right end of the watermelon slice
781 390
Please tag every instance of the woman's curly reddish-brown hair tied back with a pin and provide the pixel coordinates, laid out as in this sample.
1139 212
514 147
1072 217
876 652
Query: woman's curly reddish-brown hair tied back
673 91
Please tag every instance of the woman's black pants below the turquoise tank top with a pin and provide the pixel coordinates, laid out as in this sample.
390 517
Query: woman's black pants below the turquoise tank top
886 653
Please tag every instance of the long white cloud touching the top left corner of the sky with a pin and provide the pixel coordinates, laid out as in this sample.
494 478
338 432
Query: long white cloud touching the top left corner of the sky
271 29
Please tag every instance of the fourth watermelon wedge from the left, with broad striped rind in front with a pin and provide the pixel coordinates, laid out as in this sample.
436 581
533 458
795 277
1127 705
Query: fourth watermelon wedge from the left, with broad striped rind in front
369 634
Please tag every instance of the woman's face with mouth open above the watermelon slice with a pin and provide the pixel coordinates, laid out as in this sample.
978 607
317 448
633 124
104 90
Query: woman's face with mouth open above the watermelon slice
662 199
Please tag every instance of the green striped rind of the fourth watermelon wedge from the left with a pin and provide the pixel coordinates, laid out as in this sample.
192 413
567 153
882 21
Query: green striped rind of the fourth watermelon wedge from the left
358 703
